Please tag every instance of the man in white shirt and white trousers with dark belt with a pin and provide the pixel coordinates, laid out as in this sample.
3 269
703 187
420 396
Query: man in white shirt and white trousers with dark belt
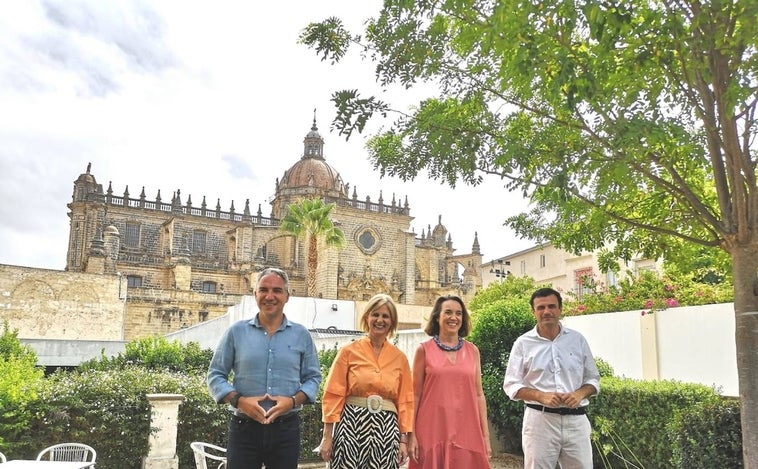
551 369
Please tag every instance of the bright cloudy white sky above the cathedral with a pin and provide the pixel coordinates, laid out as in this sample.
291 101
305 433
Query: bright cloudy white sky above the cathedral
209 98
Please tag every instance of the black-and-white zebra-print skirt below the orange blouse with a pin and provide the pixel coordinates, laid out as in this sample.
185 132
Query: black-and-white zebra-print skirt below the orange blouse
365 440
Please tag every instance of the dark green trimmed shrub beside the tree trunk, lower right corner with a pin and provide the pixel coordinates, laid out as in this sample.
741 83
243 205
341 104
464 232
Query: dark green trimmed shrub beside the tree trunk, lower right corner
707 436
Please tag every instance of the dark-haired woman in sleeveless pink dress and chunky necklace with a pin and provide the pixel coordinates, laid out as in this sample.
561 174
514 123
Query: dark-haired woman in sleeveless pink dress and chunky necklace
450 429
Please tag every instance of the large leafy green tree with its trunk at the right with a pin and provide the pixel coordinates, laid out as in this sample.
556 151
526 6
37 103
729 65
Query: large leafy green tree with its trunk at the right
627 124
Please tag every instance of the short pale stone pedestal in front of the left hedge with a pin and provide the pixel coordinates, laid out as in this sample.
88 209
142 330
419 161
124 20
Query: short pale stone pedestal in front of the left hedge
165 418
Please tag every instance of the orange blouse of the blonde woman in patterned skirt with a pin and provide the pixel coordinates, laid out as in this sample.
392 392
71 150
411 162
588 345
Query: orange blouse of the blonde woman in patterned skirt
357 372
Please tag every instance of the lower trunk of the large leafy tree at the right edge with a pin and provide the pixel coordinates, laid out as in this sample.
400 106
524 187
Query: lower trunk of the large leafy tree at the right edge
745 264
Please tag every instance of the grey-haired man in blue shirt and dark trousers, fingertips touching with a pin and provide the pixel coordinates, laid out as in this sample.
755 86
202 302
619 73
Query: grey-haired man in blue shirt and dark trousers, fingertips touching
275 370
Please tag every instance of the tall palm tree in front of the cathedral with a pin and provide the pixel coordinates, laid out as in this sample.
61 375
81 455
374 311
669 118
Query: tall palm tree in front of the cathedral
309 219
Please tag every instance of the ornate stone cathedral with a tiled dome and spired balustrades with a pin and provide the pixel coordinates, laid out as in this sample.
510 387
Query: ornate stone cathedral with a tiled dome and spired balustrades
182 263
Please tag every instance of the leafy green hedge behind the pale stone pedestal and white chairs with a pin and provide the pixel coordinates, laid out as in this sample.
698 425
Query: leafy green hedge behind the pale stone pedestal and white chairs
109 410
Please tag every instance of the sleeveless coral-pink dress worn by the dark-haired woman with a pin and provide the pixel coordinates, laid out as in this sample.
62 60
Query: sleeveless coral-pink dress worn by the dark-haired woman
447 426
